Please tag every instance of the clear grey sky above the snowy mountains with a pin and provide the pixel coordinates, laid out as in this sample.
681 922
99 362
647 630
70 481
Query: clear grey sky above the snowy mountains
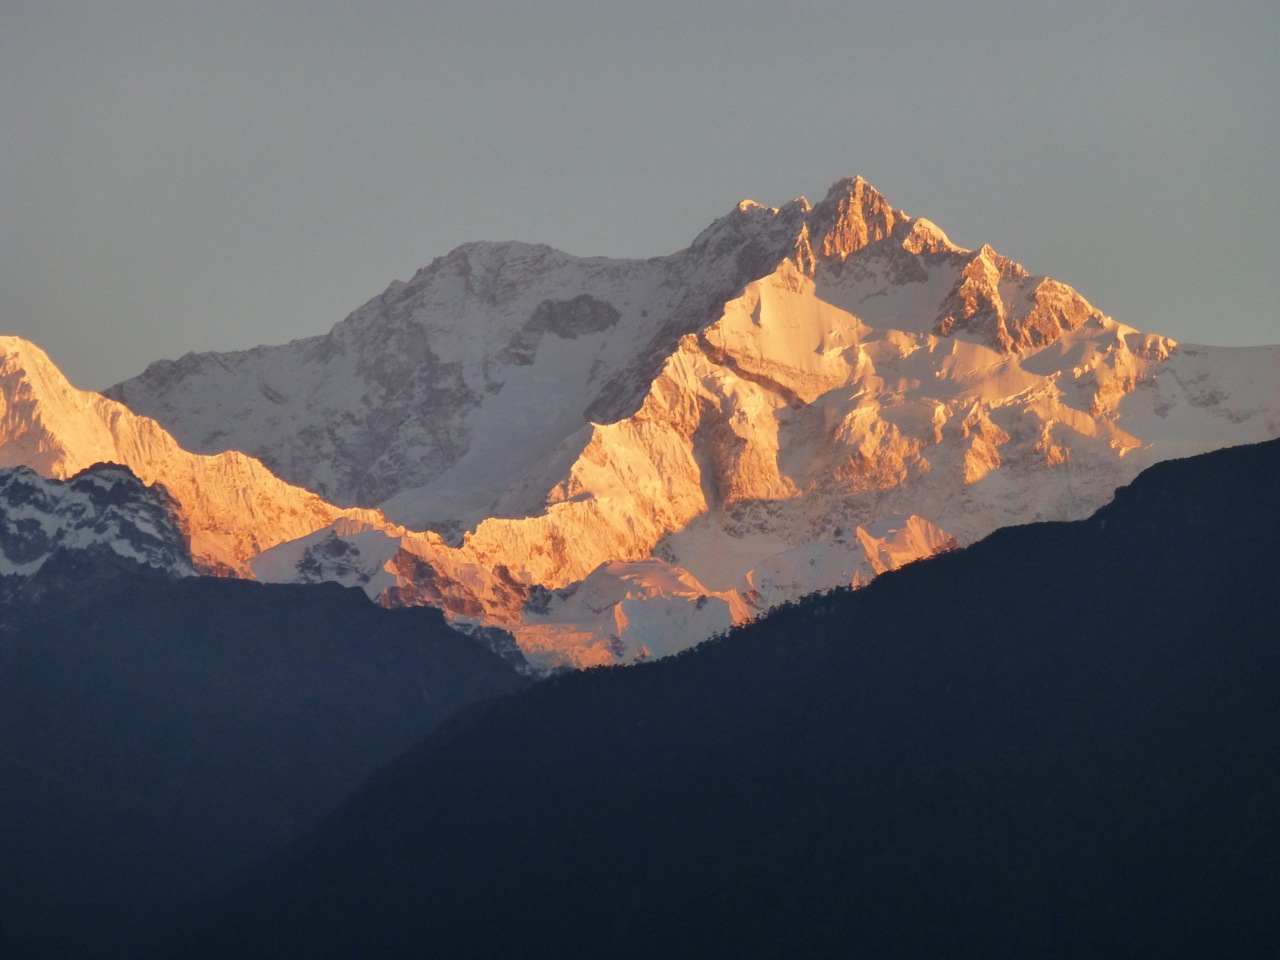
214 175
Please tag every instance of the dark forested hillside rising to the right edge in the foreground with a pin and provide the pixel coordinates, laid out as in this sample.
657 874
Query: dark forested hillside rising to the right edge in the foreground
1060 742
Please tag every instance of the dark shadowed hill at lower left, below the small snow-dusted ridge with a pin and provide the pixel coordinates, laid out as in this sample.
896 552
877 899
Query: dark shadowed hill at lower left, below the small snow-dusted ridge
158 737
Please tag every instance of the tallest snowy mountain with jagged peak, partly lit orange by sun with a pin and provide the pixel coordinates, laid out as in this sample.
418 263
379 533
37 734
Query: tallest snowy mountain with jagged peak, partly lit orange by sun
616 458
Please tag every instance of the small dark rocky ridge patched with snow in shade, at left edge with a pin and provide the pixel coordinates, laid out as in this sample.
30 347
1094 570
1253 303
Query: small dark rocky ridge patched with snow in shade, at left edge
103 508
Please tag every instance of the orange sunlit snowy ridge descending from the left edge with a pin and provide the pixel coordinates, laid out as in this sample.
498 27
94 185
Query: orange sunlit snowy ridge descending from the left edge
234 508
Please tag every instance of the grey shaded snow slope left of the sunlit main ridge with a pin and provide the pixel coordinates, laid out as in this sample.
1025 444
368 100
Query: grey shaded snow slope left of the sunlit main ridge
468 390
